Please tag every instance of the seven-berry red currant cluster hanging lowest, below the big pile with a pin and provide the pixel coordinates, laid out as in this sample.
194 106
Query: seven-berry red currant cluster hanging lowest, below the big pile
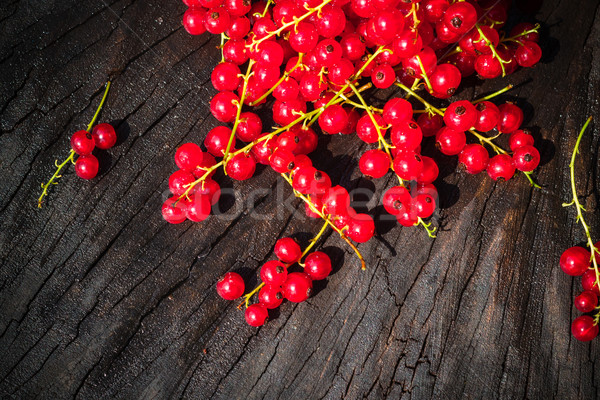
277 283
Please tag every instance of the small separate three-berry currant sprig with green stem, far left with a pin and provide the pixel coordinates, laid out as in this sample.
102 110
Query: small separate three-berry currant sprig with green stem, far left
83 143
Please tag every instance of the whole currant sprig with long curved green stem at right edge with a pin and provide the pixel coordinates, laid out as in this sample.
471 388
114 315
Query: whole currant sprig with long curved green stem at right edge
578 261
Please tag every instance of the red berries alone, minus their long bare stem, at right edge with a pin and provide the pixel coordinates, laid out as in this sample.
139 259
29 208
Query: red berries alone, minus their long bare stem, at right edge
577 261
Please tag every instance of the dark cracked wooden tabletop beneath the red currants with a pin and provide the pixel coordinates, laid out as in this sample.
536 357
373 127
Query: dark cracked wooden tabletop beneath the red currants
100 298
